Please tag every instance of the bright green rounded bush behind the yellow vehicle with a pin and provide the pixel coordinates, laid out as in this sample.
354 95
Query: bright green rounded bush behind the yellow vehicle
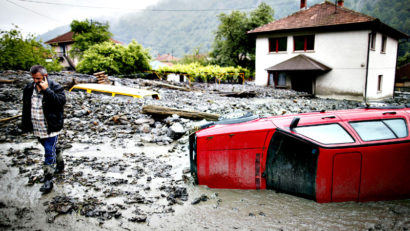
115 59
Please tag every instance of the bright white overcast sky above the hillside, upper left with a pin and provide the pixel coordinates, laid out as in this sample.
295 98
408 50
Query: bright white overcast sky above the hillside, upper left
39 16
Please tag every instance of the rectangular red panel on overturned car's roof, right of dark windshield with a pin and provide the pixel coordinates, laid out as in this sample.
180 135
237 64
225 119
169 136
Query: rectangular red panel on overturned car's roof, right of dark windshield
346 176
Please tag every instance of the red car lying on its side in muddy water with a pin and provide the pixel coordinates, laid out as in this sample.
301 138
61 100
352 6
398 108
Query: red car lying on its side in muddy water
346 155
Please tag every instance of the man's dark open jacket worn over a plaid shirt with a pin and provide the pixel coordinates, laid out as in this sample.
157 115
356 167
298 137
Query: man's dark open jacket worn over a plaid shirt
53 107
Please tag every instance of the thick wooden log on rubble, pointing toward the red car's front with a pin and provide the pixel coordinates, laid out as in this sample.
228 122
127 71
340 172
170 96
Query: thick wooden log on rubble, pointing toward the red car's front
166 111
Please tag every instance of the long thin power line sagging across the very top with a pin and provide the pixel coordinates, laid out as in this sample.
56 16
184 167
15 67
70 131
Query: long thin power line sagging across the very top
128 9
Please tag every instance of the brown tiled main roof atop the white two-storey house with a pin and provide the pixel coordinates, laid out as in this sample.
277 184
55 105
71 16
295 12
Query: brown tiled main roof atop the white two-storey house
324 15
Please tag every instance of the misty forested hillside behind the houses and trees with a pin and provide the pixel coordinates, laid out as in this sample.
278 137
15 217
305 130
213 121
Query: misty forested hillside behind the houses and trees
179 26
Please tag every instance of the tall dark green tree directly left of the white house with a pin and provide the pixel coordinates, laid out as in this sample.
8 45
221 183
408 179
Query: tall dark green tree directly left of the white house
232 46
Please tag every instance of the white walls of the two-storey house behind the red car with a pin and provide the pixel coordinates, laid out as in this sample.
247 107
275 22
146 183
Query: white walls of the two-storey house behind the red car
346 54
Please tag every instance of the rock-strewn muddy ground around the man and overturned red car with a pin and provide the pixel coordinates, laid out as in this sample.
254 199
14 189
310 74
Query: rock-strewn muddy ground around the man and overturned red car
129 171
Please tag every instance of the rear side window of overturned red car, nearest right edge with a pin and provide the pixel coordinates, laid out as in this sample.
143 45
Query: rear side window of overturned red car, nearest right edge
380 129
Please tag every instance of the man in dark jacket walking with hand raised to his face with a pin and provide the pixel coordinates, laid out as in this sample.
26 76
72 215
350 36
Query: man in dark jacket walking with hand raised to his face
43 113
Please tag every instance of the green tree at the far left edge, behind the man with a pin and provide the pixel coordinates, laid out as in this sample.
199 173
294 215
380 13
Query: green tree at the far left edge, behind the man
18 53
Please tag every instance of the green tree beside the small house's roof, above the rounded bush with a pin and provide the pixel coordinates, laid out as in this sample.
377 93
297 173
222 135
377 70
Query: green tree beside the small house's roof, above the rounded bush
86 34
